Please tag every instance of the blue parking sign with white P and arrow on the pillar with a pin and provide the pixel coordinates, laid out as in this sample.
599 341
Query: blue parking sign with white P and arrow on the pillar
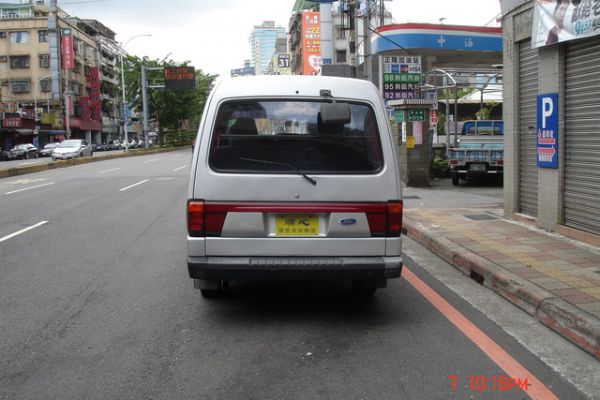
547 130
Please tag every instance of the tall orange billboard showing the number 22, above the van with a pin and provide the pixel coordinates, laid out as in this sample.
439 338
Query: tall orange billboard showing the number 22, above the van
311 43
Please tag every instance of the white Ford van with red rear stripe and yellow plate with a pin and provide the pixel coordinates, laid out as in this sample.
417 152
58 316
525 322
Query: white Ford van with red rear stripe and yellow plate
294 177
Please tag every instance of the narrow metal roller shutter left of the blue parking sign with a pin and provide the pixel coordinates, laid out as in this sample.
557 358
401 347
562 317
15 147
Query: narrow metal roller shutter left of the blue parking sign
528 90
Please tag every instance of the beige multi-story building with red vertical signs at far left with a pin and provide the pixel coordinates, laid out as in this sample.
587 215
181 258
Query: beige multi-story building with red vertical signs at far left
26 77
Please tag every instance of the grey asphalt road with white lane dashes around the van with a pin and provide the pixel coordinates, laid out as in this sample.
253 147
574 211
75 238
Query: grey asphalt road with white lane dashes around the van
96 303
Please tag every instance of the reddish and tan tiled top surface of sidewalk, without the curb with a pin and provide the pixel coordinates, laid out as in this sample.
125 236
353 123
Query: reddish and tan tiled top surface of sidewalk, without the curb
557 265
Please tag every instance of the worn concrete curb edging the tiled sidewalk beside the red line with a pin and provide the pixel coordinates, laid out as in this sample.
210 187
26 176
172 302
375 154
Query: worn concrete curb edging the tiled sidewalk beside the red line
576 325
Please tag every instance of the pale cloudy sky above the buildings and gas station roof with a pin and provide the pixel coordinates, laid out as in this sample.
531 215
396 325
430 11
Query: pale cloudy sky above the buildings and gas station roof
214 34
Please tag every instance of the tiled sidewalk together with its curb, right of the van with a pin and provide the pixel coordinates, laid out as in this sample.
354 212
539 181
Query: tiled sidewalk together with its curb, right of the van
552 278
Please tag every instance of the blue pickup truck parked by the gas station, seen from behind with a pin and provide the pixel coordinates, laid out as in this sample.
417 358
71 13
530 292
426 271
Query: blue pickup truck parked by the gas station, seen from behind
479 151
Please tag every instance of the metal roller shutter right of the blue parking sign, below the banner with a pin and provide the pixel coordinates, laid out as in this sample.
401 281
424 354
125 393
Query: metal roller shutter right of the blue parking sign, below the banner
582 134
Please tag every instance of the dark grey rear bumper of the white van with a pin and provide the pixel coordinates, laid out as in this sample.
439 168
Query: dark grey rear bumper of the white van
268 268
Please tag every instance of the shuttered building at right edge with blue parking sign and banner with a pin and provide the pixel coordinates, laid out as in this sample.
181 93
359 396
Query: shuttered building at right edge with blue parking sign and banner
552 116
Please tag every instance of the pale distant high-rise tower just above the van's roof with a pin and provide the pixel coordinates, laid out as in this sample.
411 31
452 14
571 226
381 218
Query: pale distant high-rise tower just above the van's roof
262 45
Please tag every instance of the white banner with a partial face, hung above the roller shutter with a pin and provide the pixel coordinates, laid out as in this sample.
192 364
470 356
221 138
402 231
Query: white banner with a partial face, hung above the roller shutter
557 21
